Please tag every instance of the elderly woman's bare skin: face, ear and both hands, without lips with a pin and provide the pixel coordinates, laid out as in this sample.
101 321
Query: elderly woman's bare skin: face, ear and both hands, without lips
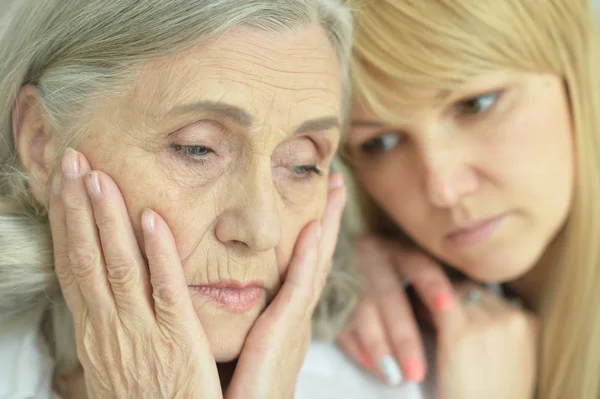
262 110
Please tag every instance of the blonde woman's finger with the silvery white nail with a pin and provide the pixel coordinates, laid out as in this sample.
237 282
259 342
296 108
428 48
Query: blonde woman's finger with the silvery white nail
371 334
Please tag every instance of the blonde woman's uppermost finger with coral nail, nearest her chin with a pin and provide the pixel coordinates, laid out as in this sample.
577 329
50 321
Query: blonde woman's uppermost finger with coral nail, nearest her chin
433 286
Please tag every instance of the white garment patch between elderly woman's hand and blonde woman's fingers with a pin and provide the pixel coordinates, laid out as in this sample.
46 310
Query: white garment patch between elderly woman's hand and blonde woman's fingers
328 374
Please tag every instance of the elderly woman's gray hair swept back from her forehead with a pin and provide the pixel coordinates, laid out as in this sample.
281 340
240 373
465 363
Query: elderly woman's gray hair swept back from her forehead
74 52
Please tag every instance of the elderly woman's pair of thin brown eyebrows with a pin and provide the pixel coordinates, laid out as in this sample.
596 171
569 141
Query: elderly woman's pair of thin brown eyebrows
243 118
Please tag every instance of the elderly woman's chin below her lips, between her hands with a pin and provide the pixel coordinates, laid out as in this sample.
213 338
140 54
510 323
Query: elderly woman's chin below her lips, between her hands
226 327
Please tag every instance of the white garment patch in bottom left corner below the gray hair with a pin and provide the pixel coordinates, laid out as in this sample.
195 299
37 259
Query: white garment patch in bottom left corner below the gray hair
26 367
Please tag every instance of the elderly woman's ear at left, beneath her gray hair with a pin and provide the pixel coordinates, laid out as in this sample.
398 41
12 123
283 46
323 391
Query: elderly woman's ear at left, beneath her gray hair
34 138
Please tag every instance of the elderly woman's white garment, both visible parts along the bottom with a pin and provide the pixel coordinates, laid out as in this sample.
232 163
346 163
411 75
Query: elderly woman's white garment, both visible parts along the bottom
26 372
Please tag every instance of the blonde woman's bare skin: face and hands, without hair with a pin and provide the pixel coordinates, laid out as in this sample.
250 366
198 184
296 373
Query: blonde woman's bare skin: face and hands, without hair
442 166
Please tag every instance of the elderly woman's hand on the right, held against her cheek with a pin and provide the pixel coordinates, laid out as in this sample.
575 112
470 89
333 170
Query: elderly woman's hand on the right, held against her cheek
277 343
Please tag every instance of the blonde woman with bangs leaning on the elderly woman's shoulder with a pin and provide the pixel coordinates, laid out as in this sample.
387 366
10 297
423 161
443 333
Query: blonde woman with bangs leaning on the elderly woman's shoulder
474 142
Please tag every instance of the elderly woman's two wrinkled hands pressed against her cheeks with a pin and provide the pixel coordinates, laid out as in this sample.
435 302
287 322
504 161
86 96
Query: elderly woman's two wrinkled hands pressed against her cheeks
137 331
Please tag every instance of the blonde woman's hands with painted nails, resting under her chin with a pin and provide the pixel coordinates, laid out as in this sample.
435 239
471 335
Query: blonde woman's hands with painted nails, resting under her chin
486 346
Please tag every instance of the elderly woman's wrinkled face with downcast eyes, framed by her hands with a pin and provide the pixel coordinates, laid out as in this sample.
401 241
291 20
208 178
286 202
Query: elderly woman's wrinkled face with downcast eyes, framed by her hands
231 144
